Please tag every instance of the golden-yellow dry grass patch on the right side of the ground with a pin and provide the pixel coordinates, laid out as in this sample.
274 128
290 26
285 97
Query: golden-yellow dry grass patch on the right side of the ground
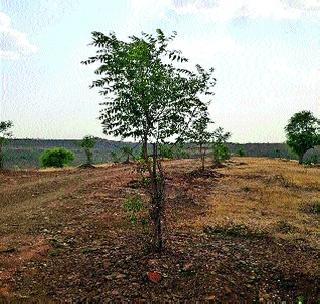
270 196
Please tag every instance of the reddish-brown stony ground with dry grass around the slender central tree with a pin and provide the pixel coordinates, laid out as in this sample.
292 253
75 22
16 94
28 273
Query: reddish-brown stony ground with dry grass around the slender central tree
247 232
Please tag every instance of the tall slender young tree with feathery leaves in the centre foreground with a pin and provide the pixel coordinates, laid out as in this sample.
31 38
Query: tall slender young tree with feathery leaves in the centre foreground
149 99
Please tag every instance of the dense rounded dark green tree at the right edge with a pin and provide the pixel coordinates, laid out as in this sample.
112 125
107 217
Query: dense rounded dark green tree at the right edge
303 133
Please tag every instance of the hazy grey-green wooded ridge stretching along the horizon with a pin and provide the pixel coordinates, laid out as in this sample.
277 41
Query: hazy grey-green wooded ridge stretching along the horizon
25 153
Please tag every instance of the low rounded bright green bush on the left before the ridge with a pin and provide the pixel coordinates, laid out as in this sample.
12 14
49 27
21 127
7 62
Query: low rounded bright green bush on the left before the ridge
56 157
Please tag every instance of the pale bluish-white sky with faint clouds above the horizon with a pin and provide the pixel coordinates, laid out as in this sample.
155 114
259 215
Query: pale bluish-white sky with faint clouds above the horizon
266 54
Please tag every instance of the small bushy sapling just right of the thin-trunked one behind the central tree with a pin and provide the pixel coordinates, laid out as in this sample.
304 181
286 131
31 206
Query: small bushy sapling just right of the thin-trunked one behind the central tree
219 148
